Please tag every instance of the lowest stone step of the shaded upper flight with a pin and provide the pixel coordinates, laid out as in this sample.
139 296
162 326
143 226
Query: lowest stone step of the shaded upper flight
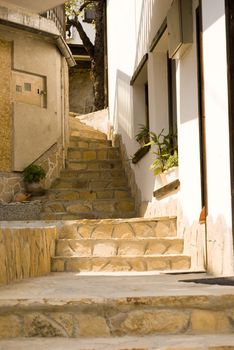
90 206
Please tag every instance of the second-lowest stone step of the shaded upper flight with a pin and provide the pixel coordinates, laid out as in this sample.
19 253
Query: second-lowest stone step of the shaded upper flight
74 194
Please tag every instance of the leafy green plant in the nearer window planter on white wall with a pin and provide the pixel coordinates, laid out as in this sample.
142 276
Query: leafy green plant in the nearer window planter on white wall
166 151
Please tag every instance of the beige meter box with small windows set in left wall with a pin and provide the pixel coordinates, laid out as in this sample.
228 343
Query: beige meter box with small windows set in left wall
29 88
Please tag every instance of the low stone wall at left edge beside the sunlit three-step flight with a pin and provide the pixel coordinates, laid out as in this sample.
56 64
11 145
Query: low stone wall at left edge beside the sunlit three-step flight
25 251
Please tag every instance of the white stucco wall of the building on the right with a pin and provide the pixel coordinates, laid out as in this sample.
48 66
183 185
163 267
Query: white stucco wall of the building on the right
126 47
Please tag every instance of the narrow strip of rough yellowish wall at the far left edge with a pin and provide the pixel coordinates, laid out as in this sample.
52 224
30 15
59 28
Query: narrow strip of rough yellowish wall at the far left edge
5 107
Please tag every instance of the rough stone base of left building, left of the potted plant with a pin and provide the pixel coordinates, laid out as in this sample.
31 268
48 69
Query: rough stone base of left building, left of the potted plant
10 184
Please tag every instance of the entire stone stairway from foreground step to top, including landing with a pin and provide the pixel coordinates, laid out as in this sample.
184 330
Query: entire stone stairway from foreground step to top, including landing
116 280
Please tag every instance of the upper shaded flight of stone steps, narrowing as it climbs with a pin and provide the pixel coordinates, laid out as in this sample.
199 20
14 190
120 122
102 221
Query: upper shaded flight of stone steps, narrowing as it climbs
93 185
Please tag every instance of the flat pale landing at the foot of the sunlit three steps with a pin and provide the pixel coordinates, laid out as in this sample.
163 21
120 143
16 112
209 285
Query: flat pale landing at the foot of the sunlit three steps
75 286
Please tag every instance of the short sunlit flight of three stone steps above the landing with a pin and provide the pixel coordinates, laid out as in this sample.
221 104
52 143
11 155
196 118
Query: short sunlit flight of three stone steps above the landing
120 245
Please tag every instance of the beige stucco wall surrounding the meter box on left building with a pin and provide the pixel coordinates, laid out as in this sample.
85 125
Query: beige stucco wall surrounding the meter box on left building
35 129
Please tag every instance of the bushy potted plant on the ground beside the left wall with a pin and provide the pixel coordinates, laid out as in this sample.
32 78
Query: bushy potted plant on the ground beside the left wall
32 176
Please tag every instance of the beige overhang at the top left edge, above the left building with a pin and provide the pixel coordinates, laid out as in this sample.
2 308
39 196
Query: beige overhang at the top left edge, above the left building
35 5
